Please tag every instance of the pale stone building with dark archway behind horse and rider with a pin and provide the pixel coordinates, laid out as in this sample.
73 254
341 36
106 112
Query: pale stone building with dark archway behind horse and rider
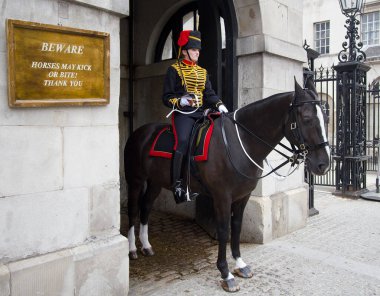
61 174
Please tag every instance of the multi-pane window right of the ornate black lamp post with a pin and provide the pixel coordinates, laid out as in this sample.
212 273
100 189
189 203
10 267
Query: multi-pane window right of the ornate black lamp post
370 28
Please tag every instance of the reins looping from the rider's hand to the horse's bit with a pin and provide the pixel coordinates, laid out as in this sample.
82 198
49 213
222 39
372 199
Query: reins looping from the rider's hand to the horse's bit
293 159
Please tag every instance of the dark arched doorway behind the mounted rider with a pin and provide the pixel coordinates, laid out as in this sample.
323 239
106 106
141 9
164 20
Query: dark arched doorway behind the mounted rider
147 49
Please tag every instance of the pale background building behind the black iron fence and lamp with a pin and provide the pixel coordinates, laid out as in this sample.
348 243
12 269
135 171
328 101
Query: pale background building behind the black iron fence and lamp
324 31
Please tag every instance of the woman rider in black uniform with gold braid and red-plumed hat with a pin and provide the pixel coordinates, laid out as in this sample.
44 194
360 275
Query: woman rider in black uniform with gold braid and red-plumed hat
188 91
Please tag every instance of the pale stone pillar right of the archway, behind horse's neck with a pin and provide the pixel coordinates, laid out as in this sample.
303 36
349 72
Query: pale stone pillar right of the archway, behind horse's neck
270 56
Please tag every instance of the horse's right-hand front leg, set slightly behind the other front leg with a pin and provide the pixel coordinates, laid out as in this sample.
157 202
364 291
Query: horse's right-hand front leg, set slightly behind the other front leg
241 268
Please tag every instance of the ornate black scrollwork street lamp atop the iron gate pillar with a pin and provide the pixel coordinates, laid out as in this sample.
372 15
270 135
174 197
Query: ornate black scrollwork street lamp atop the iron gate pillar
350 8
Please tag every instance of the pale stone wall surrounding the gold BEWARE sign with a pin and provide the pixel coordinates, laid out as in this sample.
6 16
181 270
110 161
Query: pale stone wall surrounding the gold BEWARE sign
59 174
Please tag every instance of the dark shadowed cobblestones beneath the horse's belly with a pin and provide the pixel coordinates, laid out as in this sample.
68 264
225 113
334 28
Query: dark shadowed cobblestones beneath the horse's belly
181 248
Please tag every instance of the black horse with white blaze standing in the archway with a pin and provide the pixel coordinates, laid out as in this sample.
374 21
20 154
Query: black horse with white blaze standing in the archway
228 176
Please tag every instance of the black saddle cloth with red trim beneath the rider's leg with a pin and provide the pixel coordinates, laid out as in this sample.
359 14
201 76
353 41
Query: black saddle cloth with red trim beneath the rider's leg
163 144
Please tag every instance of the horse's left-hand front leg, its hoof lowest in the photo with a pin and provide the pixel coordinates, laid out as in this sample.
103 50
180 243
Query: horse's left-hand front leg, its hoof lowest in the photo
222 214
